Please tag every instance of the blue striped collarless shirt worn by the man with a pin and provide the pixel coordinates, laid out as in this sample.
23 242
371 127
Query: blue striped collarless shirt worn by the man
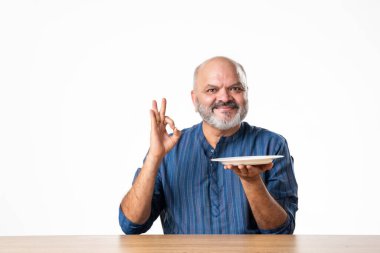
194 195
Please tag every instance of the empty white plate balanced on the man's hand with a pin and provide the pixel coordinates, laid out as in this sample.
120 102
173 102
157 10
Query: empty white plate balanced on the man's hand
247 160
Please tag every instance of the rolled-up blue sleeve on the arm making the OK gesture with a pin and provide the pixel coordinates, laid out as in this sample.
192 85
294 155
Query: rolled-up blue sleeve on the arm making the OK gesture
128 226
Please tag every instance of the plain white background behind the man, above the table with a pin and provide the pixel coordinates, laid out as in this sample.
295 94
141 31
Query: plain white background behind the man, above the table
77 79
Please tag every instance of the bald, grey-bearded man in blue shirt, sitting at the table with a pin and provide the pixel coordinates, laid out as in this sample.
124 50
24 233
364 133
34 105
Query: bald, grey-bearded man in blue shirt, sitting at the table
194 195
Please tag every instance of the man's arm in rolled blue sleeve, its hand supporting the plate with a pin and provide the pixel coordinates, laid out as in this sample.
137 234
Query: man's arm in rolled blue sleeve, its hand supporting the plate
274 201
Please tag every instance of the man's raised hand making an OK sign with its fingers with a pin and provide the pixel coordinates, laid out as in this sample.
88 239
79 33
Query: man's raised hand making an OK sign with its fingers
160 141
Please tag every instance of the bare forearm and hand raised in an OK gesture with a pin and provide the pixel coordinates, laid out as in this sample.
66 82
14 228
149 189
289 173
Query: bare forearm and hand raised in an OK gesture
136 205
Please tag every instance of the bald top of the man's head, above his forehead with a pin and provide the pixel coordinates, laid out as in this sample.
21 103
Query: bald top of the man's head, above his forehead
219 65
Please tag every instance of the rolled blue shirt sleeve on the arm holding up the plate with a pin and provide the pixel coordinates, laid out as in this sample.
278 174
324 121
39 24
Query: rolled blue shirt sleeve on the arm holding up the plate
282 185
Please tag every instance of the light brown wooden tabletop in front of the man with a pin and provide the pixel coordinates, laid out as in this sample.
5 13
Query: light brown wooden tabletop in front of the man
191 243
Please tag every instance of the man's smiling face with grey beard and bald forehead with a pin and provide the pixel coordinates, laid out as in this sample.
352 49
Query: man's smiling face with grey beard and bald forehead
219 96
